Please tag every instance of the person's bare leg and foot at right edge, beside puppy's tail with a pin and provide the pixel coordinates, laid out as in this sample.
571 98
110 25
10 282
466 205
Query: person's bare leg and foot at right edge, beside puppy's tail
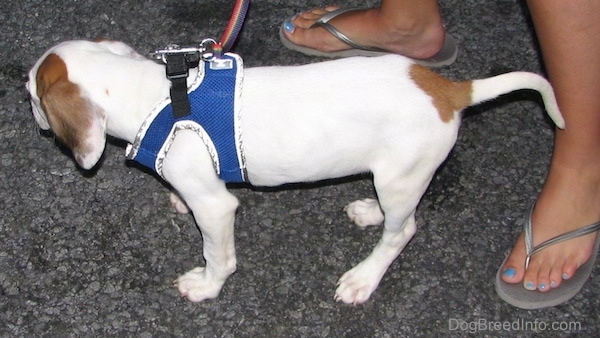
569 35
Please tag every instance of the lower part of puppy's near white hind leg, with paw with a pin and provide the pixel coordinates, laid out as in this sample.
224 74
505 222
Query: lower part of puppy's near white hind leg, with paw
398 197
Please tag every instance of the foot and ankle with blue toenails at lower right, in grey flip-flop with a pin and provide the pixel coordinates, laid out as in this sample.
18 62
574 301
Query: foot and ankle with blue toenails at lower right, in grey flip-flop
568 201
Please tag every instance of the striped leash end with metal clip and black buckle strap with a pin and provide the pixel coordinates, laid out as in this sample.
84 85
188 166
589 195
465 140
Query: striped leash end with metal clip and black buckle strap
180 59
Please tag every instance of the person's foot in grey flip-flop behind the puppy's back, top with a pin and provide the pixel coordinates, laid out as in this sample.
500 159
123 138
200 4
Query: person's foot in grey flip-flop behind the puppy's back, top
376 30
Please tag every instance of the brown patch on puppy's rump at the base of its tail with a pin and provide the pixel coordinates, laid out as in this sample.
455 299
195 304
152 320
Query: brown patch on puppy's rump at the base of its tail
448 96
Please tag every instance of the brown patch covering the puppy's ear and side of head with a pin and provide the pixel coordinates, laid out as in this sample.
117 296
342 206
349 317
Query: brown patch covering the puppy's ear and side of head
68 113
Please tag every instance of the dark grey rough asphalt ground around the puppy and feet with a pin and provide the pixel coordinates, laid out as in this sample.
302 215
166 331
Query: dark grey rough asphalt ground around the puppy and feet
94 254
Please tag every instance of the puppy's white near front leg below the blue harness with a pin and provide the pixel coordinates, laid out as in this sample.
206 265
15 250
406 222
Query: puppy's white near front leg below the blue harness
188 167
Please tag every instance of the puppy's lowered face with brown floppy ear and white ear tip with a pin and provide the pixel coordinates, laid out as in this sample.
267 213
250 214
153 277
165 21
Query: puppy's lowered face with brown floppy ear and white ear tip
64 107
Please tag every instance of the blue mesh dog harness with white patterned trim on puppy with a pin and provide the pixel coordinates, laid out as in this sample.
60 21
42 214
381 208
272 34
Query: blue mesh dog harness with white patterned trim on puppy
214 99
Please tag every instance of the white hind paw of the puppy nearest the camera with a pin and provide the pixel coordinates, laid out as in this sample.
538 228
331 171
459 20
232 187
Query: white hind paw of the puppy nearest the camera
356 286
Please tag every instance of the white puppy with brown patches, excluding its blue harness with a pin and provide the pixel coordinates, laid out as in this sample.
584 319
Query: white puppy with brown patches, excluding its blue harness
385 115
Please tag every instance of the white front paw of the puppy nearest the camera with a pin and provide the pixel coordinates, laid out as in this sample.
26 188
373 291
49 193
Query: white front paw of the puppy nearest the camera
196 286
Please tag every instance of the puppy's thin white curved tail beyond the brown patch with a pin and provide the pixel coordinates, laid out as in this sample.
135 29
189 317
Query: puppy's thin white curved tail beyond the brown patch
487 89
